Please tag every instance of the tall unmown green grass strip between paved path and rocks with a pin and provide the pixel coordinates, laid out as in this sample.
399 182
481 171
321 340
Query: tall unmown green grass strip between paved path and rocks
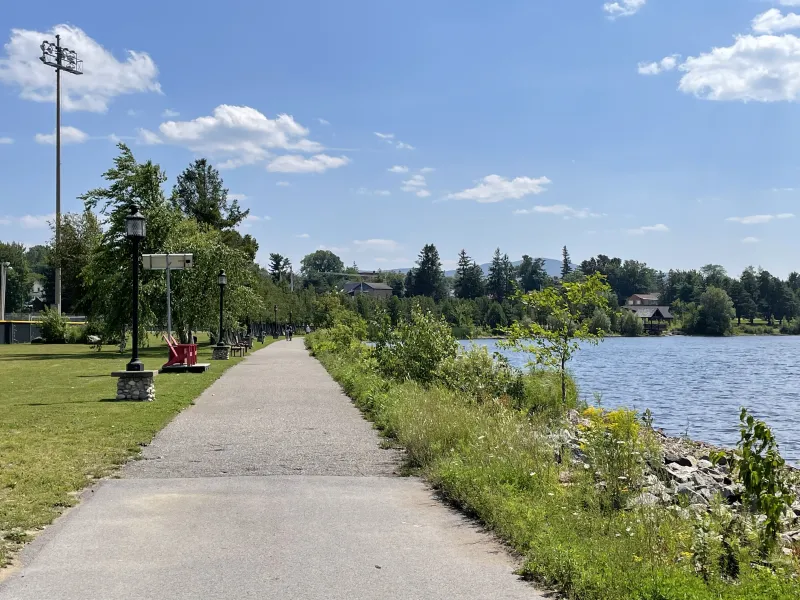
492 463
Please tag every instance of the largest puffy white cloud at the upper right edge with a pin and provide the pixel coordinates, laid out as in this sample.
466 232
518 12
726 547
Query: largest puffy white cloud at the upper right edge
763 68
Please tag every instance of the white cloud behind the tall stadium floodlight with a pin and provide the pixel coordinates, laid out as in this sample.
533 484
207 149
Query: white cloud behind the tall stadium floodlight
104 78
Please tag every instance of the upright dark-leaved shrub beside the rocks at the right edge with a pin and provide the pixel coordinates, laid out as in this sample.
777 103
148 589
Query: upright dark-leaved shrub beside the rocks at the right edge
762 471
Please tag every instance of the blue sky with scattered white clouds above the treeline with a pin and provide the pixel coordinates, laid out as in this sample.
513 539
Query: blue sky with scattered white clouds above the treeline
661 130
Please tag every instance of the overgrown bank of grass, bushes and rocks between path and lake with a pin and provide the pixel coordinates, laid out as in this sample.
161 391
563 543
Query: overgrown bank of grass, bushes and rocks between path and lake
599 504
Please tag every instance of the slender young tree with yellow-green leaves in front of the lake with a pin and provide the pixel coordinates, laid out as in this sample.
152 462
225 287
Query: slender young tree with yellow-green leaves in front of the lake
559 326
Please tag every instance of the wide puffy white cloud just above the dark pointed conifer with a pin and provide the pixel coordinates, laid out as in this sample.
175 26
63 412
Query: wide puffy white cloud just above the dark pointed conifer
241 134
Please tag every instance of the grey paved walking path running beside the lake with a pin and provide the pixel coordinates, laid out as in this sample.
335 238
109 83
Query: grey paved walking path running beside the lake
271 487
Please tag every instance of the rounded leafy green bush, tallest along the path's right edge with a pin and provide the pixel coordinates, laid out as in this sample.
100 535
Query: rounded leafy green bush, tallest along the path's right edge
414 349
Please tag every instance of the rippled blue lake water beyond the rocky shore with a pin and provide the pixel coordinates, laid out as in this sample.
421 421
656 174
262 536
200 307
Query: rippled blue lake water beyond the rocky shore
696 384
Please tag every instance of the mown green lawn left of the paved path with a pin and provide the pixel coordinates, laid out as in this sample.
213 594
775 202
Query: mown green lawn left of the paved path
60 427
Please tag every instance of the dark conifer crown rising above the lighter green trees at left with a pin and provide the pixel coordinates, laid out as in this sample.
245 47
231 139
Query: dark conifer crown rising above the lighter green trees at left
200 194
